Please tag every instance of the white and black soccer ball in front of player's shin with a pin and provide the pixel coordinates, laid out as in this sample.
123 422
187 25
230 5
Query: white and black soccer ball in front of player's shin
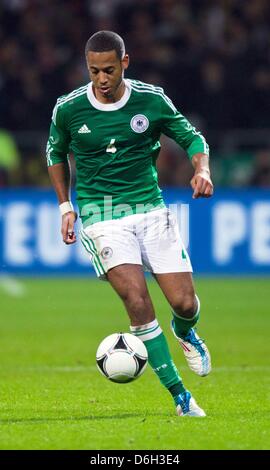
121 357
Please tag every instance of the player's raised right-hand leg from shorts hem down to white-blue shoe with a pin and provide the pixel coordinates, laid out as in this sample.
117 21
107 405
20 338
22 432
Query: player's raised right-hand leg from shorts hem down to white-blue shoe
178 288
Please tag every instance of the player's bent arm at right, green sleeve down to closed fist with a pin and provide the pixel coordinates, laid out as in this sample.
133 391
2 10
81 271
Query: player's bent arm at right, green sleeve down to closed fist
177 126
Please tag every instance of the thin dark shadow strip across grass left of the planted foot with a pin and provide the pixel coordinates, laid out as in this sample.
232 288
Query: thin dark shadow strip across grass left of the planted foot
142 417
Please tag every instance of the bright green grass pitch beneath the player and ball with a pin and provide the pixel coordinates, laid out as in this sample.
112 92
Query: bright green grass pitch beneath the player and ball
52 396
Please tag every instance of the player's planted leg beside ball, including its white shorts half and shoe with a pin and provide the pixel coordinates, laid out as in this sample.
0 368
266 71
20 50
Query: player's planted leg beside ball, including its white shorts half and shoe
115 254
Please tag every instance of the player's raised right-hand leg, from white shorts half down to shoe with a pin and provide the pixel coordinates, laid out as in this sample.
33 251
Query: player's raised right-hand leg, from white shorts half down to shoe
164 254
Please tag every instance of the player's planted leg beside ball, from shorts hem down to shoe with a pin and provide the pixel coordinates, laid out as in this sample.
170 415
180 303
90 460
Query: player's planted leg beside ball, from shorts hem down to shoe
129 283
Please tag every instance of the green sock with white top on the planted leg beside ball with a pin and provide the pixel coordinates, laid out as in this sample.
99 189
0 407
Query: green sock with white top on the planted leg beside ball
159 356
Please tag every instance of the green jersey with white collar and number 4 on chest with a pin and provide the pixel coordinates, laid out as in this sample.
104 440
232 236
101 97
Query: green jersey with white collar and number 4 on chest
116 147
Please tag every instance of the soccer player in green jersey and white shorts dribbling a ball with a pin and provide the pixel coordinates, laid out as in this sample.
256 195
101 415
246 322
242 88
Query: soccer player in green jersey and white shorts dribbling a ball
112 126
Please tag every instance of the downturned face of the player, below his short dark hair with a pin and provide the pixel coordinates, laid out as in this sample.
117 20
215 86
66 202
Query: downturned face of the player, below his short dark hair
106 72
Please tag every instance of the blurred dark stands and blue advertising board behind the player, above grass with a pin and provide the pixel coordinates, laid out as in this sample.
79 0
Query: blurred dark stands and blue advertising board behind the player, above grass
213 60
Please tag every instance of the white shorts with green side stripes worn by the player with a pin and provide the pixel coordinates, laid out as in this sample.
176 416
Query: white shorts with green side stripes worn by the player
151 240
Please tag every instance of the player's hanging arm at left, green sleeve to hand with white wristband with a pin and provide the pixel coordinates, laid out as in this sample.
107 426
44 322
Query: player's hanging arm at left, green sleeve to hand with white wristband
59 171
